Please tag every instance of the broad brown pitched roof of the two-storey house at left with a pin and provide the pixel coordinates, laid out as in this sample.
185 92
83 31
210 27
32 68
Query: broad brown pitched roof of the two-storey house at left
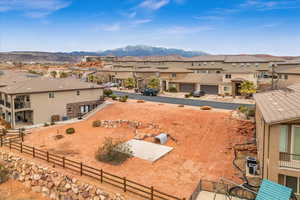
45 84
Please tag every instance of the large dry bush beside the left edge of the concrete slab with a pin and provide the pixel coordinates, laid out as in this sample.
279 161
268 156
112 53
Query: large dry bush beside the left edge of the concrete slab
113 151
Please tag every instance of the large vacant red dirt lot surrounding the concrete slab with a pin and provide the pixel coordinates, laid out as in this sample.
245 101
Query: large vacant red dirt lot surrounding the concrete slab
203 150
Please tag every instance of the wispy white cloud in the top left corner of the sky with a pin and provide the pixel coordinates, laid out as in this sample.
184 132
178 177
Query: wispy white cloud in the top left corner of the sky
34 8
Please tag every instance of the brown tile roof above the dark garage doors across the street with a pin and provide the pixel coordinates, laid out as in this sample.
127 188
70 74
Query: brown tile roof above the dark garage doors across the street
209 79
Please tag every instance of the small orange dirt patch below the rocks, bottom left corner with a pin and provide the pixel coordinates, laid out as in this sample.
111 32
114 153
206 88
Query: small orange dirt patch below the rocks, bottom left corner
14 190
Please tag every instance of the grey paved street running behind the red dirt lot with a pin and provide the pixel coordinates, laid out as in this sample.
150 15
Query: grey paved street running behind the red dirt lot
189 102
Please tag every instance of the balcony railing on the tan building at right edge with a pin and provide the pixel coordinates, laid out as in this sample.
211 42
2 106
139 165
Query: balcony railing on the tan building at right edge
288 160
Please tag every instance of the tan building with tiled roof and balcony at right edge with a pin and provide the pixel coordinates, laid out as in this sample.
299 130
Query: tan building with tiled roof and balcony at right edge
278 135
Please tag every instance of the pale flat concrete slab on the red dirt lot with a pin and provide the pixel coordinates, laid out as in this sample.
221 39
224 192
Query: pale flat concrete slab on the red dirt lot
147 150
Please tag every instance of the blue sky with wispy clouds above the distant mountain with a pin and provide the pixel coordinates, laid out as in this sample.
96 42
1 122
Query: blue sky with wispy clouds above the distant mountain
213 26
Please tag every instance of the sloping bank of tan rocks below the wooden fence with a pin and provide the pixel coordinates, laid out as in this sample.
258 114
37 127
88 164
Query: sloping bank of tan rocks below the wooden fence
50 183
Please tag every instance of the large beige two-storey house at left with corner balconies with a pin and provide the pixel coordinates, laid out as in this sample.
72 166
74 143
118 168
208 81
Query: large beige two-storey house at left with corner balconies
41 99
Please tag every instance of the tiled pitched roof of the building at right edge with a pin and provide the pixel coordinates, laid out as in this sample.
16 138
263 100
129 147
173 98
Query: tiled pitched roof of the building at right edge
279 105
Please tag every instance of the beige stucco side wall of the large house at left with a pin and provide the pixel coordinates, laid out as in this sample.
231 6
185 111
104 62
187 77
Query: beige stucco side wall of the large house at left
44 107
